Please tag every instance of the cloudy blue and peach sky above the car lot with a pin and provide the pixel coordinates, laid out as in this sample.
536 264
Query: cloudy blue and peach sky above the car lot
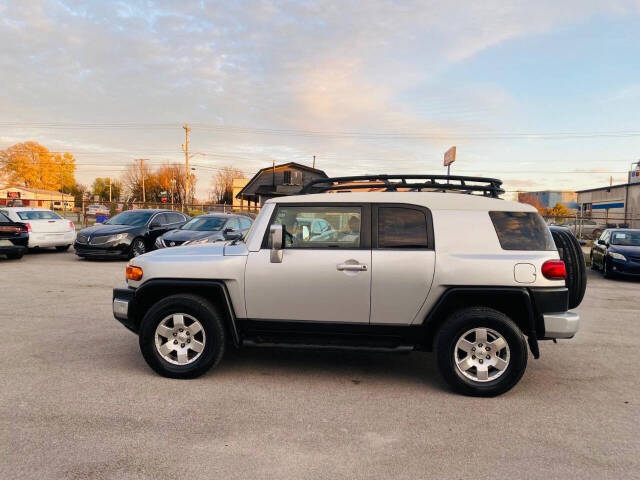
541 94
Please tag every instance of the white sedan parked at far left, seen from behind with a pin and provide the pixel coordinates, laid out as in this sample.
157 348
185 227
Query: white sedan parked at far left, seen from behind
46 228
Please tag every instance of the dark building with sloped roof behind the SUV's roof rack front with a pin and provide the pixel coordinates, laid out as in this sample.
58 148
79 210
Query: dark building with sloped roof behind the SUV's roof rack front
277 181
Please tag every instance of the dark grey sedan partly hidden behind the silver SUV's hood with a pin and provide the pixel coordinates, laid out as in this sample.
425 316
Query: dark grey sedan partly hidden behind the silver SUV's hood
206 228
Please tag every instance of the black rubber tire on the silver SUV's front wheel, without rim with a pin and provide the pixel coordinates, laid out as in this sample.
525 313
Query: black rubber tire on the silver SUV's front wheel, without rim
211 321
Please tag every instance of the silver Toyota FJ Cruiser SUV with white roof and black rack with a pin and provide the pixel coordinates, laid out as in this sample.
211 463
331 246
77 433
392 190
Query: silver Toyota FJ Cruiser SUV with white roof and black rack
408 262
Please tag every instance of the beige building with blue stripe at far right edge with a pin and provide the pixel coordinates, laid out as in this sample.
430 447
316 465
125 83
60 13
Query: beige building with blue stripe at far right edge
615 204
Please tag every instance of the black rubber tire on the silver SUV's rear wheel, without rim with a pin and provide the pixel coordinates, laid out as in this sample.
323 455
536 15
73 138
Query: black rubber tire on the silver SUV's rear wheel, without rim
462 321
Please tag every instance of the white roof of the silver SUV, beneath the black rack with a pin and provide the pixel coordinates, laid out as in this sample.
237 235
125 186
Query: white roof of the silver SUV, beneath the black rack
431 200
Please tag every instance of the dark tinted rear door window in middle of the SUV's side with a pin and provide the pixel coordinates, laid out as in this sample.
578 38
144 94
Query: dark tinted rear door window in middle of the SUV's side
402 228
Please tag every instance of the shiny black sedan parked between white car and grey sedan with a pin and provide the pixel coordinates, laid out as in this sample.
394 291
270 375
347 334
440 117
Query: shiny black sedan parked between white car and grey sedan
128 234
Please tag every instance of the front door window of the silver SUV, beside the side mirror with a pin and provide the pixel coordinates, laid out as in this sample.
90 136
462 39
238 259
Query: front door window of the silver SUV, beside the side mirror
320 226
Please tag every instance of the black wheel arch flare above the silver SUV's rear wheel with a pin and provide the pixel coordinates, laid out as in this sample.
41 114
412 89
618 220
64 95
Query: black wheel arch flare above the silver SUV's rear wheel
514 302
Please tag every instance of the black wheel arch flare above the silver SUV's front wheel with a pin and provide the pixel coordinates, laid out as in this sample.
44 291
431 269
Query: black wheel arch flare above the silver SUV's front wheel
214 291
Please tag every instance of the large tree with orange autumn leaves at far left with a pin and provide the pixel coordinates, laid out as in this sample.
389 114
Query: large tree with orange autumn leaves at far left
30 164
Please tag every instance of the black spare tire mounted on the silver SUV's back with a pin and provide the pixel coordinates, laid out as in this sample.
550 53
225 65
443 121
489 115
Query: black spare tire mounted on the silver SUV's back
571 253
